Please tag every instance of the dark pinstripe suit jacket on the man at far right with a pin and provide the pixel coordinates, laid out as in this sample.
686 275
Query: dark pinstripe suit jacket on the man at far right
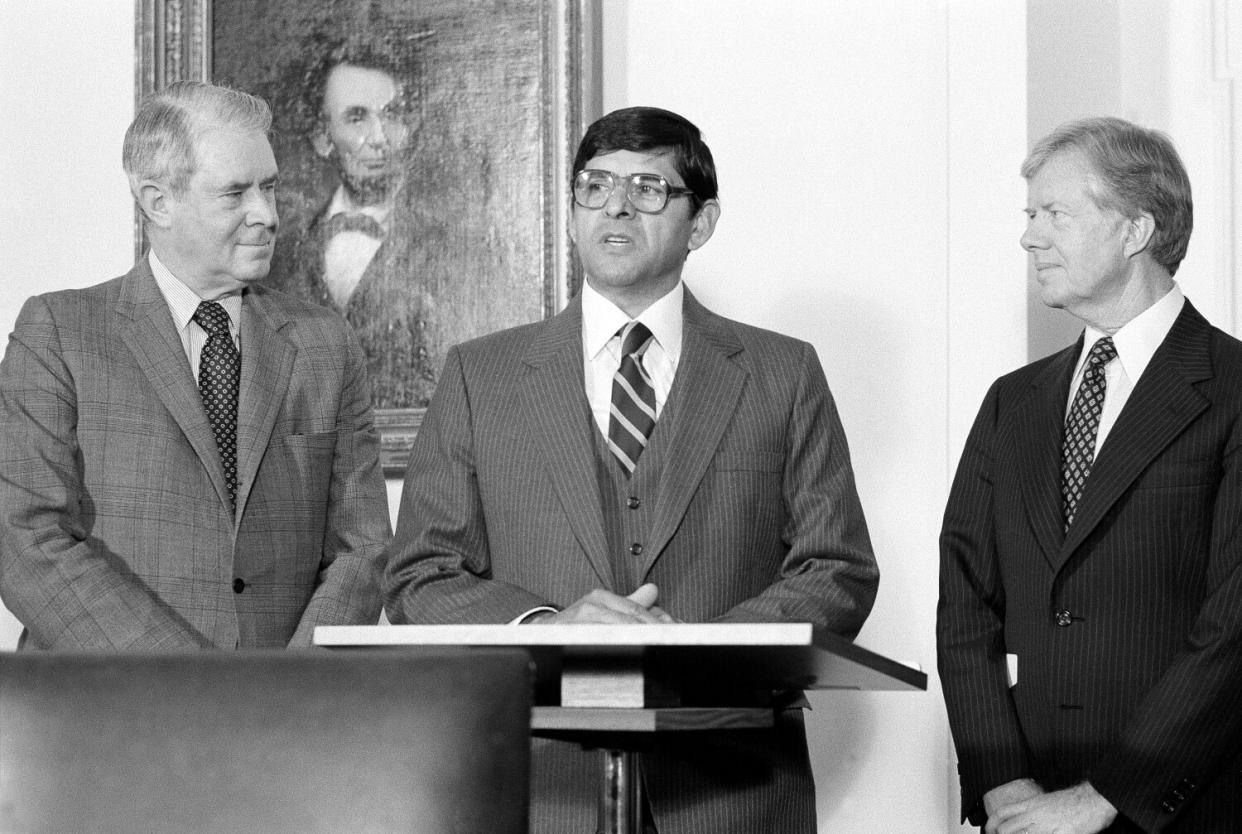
1128 628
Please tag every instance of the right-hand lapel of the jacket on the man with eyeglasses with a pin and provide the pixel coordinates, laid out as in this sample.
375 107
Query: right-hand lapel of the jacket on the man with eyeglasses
702 403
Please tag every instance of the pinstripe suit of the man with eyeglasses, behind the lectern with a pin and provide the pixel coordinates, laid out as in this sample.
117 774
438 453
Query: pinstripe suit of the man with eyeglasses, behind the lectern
758 520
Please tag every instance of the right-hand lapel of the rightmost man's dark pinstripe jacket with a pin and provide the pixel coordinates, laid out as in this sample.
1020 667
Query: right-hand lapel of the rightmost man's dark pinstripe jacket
1159 410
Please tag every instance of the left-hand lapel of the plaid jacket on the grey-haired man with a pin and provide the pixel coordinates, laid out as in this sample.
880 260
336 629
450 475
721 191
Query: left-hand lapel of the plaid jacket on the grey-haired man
158 352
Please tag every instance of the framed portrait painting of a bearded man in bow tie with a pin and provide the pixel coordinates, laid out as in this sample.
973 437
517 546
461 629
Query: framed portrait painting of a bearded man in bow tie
424 152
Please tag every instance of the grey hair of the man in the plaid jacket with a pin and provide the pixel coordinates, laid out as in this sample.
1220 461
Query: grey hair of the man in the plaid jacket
162 140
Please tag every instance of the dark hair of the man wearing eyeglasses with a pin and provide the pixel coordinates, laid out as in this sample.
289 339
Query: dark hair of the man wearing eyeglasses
650 129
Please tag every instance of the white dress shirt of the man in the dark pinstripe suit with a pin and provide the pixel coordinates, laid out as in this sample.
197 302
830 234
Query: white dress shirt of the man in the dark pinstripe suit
1136 344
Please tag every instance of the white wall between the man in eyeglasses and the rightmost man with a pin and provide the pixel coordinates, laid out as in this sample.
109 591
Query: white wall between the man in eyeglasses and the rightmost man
868 157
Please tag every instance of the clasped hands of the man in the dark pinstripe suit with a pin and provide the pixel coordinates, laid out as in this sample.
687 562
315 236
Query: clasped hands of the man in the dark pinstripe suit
1022 807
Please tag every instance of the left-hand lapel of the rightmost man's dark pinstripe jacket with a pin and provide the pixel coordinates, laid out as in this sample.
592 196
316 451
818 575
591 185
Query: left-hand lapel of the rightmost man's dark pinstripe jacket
1039 428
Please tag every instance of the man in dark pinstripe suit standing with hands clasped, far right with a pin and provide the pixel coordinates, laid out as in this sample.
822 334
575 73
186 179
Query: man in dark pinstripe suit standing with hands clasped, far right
1091 582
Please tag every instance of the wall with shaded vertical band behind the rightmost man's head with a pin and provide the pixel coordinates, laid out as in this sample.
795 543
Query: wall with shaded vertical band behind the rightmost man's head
1172 66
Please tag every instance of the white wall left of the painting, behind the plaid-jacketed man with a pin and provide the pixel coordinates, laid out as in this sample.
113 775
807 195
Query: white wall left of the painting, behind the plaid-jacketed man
68 93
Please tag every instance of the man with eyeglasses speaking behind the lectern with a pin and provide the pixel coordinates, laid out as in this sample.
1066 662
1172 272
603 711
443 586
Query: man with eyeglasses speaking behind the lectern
639 459
